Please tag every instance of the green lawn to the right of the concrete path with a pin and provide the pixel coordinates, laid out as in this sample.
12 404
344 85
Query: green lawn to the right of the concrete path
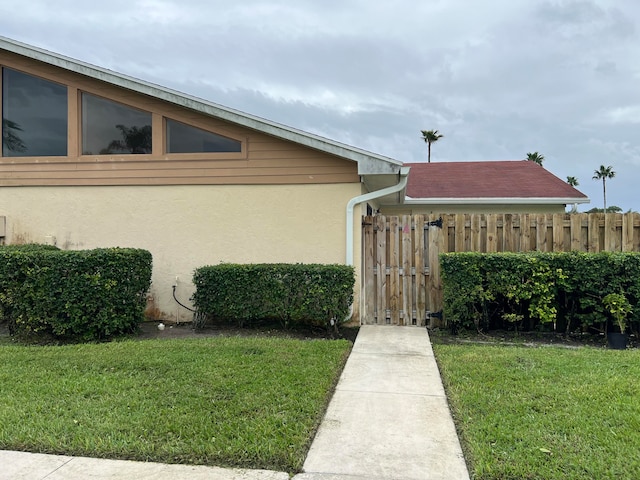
546 412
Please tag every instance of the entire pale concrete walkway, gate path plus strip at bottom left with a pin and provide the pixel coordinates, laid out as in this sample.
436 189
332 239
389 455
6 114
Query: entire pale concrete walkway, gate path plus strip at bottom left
388 420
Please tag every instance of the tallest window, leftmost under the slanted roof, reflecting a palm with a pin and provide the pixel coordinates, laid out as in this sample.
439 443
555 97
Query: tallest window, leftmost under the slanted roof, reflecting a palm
34 116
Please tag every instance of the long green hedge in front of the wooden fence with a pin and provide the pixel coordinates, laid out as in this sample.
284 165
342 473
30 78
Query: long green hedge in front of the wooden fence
554 291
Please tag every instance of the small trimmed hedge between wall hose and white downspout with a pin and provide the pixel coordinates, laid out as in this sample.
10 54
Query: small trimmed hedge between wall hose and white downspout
293 294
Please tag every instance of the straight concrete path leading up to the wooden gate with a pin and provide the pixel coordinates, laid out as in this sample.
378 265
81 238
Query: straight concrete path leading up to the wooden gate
389 417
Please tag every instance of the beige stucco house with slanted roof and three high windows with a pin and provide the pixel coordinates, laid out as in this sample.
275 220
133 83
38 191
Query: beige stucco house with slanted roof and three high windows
92 158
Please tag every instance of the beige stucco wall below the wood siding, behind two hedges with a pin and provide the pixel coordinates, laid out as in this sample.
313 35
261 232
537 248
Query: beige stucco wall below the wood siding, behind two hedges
186 227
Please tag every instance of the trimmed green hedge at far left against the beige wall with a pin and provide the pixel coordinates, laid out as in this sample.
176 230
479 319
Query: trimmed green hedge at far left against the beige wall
73 295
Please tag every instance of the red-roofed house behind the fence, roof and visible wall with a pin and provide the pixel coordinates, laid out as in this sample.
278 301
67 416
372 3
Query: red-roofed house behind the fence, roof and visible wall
484 187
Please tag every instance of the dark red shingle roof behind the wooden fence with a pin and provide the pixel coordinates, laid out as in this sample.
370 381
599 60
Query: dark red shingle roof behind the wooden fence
502 179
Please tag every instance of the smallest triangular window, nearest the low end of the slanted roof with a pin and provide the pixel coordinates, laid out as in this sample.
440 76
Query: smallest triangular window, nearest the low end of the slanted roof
183 138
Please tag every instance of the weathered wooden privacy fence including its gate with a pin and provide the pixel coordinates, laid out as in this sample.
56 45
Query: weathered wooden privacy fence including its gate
402 283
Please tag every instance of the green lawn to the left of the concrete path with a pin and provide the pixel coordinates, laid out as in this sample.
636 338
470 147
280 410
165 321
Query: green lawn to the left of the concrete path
225 401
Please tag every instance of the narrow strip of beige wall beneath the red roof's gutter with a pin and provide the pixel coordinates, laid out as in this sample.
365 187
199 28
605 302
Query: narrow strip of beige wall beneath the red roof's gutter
470 208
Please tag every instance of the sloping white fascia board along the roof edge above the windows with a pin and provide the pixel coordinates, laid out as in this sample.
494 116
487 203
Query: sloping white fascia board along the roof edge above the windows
368 162
